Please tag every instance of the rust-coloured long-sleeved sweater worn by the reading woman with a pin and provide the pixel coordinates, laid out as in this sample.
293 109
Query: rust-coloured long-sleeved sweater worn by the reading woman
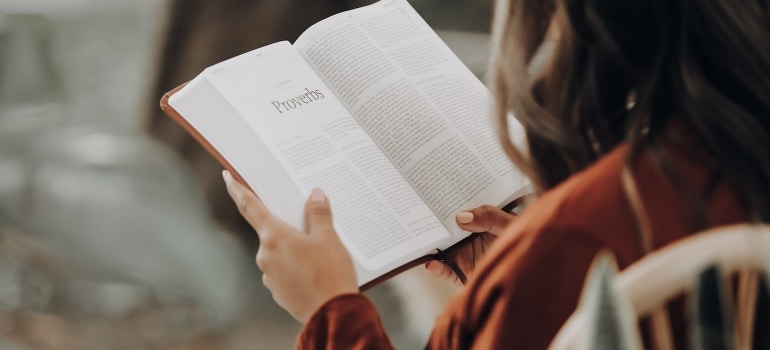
529 282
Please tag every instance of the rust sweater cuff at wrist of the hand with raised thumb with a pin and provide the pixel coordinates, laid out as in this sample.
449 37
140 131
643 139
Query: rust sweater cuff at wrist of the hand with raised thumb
348 321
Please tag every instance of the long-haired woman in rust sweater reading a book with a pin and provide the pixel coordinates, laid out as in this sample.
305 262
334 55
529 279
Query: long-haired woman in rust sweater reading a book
650 122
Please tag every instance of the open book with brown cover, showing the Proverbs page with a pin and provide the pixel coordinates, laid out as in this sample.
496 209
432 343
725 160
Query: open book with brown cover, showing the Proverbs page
372 107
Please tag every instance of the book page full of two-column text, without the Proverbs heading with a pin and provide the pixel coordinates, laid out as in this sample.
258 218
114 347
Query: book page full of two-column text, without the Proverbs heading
420 104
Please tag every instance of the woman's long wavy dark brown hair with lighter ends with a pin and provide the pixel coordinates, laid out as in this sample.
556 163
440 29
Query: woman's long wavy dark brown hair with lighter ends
622 70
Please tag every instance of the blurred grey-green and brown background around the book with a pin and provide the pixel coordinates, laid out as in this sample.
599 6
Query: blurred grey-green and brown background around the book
115 229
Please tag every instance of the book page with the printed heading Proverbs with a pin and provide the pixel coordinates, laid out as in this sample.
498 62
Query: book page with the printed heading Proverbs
310 133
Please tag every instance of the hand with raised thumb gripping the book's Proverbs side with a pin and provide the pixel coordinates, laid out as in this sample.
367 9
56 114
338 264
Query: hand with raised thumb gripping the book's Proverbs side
302 269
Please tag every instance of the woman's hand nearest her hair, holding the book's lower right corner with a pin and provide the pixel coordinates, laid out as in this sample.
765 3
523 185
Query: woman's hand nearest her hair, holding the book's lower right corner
487 221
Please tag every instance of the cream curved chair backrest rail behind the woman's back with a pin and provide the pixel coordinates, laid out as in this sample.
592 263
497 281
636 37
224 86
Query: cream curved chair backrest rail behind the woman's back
672 270
